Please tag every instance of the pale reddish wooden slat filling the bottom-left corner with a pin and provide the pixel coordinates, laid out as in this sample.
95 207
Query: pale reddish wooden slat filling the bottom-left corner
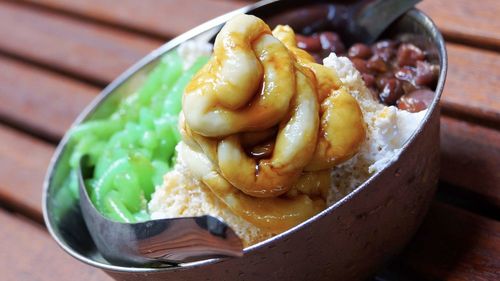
28 253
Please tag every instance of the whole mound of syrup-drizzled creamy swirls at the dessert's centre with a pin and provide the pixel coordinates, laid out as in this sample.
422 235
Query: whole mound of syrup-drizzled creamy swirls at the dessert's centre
281 129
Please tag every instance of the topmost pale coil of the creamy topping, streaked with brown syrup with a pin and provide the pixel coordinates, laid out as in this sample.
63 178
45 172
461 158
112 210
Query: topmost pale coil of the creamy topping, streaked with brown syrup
224 97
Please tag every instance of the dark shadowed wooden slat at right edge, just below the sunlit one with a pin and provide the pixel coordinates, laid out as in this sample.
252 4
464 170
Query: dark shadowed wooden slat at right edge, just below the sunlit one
470 158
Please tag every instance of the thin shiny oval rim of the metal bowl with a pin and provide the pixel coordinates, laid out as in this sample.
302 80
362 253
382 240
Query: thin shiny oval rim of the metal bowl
415 13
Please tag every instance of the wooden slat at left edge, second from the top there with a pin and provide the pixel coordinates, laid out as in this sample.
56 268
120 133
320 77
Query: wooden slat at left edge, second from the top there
40 101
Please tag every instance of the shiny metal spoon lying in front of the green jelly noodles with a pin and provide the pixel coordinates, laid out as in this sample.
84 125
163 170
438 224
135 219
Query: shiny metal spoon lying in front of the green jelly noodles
167 241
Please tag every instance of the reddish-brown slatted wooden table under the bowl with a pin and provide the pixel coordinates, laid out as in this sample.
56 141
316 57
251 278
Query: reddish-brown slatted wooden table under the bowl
56 55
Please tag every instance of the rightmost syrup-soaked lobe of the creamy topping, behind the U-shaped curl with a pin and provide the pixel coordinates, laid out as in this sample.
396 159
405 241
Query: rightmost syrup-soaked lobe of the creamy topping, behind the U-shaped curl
342 128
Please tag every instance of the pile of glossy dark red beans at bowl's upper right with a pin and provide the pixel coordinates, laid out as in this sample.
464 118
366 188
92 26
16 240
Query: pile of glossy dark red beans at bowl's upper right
397 73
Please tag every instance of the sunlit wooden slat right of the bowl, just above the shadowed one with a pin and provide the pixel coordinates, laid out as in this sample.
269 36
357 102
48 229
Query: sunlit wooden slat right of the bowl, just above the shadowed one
473 83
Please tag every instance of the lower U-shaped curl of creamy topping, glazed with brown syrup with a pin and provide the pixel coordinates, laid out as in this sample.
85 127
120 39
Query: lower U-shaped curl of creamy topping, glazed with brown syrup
293 149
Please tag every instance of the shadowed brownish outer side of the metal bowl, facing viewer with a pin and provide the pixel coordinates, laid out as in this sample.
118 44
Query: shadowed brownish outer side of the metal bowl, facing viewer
353 238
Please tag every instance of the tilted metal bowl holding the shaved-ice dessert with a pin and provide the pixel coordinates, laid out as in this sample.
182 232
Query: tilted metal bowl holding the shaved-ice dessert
347 241
